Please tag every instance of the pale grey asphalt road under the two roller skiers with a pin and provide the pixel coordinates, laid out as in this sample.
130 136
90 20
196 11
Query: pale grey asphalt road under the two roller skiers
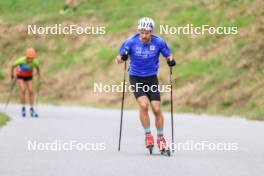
98 130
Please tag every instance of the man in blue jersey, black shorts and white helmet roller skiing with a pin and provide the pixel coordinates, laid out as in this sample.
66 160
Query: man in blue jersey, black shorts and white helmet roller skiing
144 50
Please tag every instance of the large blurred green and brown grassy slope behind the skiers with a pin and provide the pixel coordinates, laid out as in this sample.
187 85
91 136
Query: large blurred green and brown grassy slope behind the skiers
216 74
